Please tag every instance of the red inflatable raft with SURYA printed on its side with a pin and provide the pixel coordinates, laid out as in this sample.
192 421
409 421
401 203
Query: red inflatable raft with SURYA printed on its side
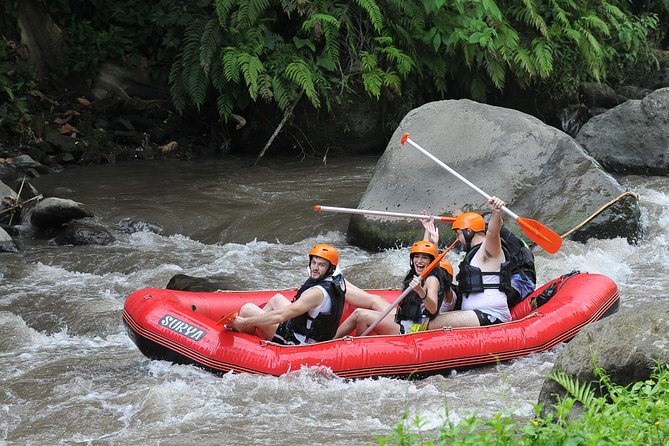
184 327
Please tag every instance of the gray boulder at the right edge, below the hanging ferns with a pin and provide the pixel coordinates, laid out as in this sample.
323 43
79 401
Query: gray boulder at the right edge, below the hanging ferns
632 137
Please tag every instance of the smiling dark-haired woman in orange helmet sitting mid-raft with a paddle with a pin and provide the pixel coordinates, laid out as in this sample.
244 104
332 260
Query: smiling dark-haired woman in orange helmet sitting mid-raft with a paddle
418 307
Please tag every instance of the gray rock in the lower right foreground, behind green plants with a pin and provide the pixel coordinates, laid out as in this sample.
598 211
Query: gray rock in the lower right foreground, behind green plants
627 345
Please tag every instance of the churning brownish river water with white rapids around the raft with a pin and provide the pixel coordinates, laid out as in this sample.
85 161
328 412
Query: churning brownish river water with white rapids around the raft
70 374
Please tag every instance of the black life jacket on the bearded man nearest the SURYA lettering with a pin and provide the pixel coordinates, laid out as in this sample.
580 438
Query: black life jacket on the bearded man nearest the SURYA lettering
324 326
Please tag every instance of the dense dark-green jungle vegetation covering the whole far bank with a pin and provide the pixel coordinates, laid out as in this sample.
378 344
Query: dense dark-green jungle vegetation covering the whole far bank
219 58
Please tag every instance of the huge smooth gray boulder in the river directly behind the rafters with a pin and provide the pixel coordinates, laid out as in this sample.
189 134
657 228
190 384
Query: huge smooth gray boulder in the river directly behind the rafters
541 173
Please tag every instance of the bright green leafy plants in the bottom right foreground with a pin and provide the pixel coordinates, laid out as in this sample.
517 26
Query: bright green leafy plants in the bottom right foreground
632 415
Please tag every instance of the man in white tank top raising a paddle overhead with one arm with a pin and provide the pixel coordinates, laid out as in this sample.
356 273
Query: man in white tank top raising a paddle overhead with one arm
484 272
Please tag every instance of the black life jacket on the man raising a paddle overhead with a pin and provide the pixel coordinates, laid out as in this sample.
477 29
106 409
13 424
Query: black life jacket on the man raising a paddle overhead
470 278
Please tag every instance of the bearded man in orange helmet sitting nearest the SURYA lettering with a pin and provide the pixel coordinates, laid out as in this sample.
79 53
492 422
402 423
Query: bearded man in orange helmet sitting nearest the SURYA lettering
314 313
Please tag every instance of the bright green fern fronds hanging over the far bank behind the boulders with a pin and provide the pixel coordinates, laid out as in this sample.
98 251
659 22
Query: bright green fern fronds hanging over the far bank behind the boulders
276 50
